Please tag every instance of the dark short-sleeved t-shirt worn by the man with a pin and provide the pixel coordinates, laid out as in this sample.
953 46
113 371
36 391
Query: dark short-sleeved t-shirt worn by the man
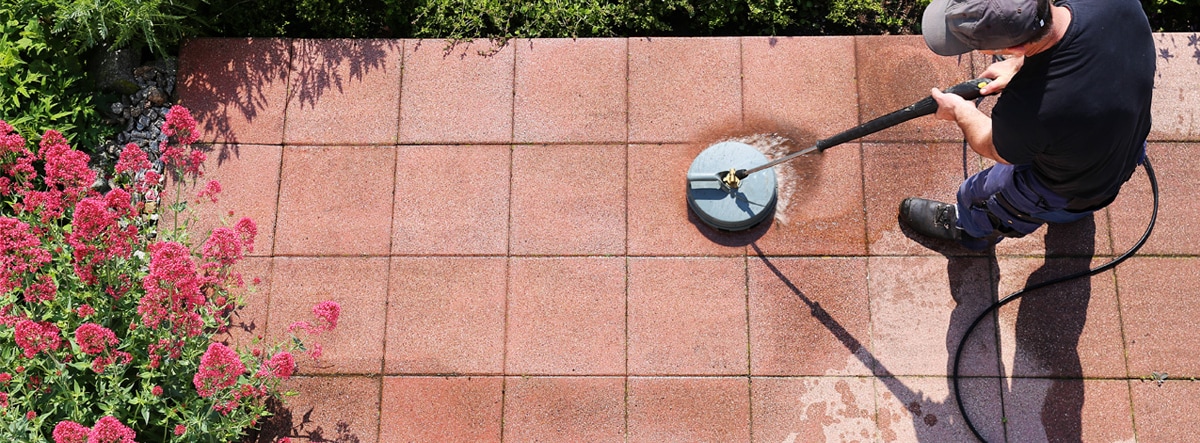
1079 113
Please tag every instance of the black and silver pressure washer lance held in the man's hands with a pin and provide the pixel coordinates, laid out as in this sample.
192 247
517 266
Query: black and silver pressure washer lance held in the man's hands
968 91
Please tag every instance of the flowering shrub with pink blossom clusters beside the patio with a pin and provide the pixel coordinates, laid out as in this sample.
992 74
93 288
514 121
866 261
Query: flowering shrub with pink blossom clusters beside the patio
107 326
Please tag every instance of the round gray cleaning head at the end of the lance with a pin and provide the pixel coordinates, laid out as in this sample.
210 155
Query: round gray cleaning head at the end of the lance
734 205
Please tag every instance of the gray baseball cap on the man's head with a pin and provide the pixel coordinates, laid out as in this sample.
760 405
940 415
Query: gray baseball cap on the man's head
957 27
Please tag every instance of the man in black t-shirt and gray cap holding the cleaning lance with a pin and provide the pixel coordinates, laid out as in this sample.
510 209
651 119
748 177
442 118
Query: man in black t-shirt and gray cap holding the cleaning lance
1070 128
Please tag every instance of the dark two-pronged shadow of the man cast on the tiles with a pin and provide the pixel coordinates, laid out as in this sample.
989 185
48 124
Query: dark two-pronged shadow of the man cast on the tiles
1043 397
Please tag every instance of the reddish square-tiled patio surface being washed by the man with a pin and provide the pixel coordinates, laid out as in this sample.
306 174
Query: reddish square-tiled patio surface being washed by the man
507 232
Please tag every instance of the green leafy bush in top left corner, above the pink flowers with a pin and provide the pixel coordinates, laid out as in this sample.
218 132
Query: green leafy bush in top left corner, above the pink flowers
44 85
